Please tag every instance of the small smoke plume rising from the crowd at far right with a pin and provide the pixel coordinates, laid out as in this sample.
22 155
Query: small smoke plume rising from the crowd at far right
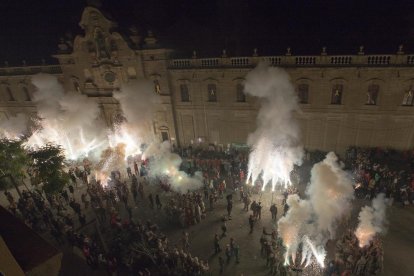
371 221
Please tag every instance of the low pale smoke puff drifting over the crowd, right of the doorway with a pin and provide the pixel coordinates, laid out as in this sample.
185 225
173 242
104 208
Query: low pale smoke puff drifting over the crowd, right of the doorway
165 164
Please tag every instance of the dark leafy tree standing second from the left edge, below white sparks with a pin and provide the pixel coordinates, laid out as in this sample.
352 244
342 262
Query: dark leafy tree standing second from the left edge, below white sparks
47 165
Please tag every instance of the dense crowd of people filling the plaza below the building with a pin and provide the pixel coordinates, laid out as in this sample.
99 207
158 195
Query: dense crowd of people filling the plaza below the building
127 244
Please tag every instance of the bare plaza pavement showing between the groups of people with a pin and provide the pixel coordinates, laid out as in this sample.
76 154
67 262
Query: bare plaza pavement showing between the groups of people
398 241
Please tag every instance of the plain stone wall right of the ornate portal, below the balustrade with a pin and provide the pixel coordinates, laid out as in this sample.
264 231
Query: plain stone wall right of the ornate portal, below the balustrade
324 126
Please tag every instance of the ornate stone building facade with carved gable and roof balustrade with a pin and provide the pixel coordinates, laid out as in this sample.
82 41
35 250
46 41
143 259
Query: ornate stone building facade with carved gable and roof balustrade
363 100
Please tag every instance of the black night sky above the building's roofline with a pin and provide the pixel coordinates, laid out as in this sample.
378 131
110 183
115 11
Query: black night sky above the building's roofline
30 29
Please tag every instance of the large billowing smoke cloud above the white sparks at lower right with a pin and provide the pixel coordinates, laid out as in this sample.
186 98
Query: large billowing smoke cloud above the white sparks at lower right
312 221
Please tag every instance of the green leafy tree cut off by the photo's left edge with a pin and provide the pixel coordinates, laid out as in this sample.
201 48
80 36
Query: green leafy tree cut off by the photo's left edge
13 162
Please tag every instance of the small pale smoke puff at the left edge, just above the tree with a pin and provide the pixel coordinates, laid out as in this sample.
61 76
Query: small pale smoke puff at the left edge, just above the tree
14 127
